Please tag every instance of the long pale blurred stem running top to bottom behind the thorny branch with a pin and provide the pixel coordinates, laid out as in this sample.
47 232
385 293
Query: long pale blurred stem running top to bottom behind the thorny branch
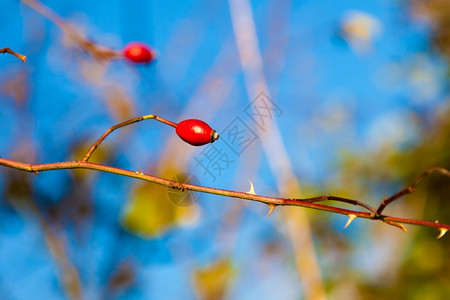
300 234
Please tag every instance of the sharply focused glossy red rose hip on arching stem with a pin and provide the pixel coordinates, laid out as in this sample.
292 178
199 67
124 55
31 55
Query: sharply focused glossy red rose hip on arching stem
196 132
